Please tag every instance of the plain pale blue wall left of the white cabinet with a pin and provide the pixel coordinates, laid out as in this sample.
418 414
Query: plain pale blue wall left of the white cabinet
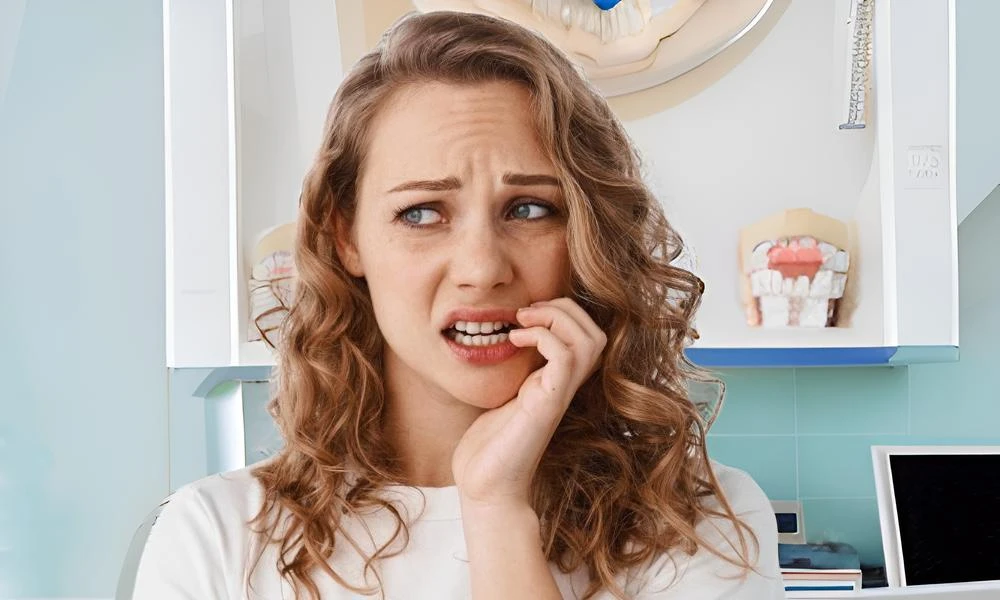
83 436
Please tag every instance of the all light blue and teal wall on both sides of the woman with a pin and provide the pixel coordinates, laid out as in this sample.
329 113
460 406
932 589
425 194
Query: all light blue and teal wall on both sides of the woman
83 399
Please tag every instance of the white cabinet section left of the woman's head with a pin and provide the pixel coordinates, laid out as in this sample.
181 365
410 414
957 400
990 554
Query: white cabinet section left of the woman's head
247 86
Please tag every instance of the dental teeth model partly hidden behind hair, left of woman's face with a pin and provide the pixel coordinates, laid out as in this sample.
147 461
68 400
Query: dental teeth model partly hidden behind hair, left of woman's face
271 284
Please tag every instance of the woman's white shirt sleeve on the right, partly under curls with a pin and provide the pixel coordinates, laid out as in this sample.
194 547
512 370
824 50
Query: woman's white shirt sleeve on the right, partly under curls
706 576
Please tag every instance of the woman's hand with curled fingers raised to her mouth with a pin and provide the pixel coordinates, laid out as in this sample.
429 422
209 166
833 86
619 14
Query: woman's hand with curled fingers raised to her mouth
495 460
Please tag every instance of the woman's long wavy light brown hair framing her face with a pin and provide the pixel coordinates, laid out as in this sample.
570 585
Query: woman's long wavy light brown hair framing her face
625 476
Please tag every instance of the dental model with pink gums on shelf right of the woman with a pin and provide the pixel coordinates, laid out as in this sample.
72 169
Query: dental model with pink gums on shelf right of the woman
795 268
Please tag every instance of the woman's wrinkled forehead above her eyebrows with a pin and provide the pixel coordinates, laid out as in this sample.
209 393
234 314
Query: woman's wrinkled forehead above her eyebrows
435 125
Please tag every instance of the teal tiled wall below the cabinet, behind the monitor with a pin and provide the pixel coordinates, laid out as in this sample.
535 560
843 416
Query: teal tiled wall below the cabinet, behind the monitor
805 433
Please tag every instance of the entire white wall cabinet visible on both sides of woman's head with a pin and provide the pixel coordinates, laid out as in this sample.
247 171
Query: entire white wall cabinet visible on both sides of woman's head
246 93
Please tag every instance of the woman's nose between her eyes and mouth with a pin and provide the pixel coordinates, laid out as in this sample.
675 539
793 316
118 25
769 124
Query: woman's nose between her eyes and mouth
481 258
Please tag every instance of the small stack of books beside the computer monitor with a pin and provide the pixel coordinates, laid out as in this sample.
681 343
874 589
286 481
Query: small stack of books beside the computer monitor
819 570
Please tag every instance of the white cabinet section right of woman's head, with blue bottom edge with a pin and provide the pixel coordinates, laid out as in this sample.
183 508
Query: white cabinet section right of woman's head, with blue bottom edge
735 144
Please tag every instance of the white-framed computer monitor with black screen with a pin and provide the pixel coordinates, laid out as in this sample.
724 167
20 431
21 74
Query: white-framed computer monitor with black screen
939 510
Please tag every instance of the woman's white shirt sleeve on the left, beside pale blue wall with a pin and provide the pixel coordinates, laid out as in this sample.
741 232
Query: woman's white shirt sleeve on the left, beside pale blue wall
182 555
